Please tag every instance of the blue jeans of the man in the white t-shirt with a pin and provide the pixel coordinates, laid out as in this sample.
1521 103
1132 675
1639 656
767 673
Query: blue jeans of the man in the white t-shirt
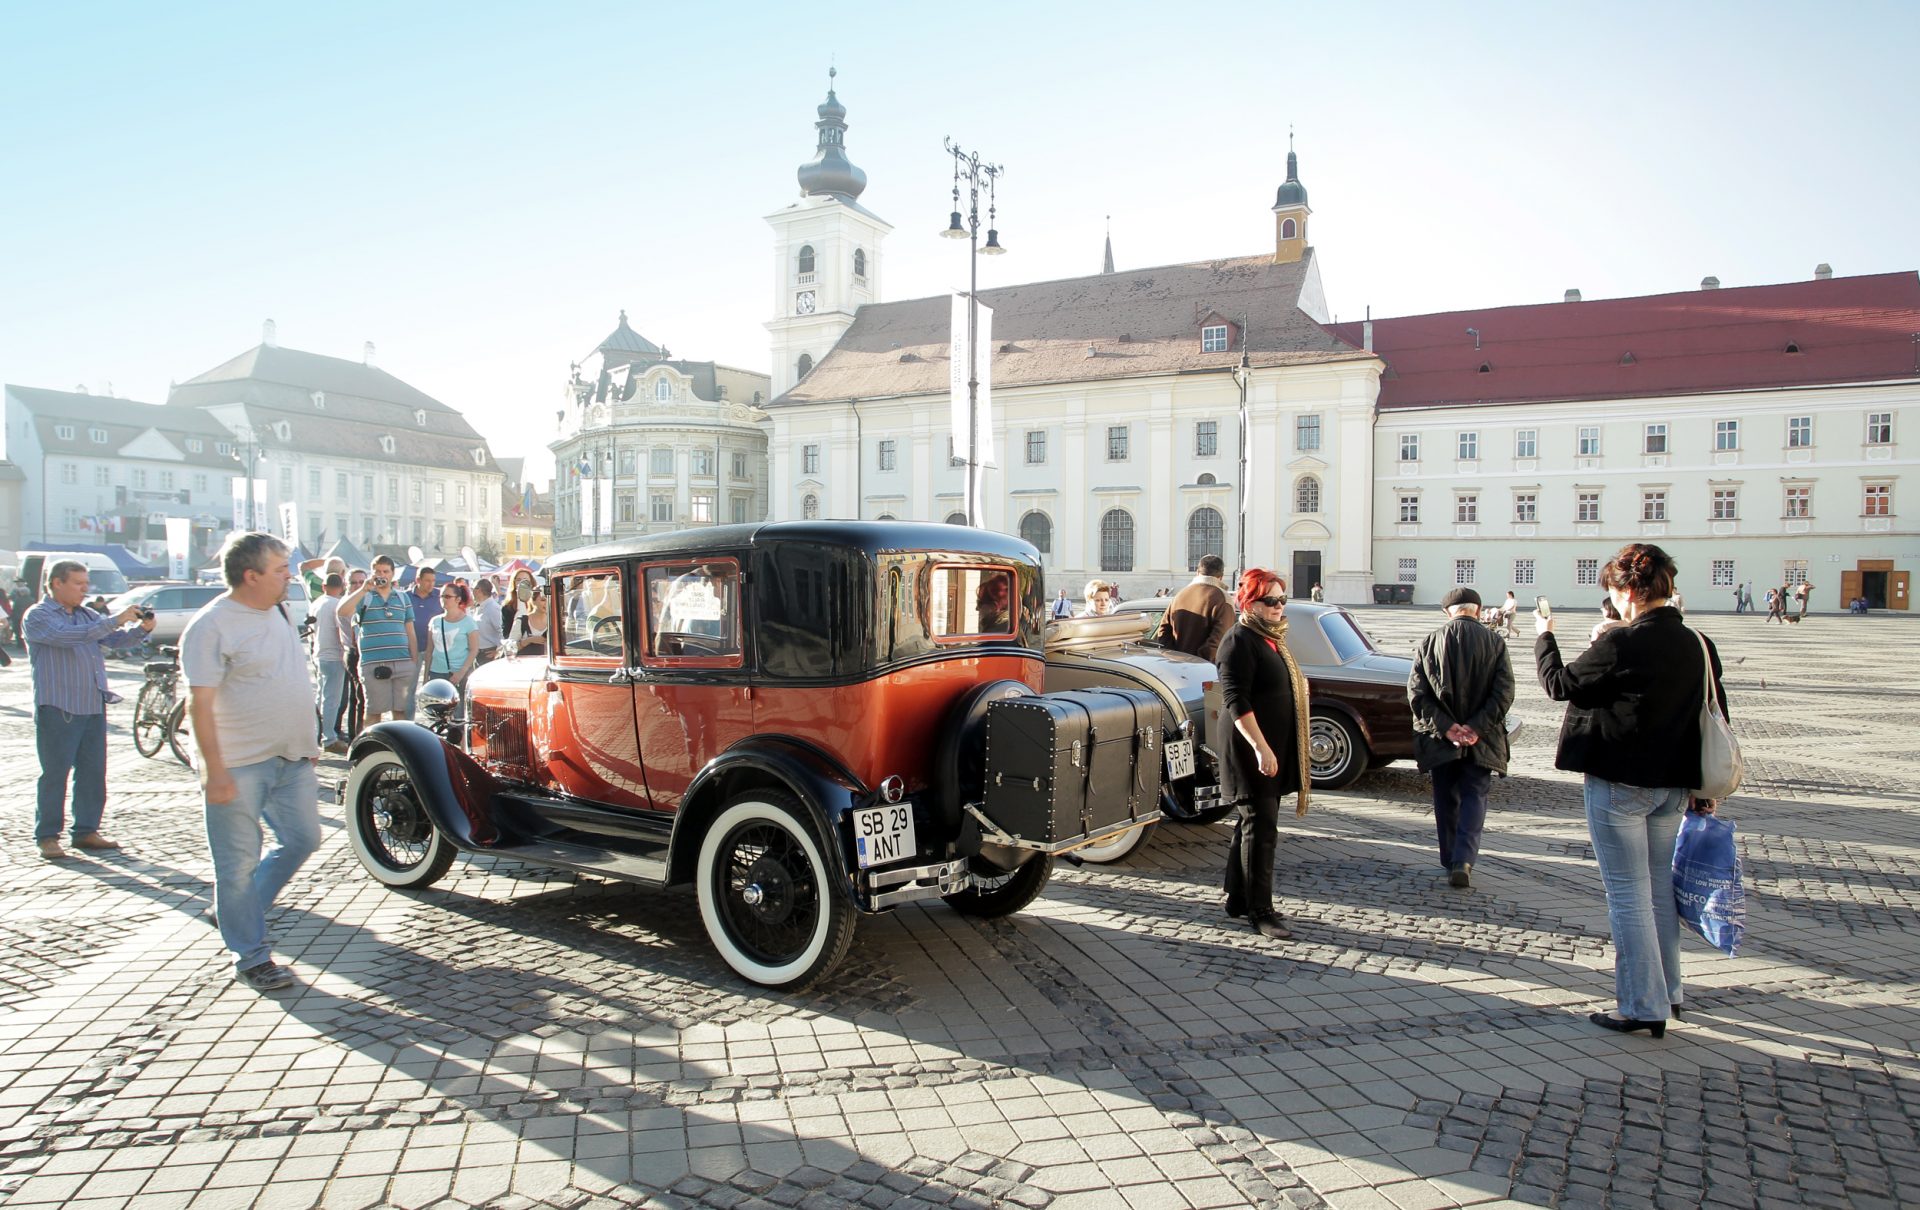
285 796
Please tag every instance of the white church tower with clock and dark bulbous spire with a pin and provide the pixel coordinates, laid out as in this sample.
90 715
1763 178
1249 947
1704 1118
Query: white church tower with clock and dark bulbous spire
827 253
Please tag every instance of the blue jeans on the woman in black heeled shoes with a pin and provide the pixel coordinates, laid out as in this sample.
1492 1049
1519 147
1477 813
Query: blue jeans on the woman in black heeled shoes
1635 833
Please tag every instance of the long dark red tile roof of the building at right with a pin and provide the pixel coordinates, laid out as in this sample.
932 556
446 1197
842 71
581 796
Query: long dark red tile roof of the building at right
1848 329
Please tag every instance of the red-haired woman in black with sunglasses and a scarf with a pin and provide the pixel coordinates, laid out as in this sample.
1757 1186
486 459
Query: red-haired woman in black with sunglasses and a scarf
1266 698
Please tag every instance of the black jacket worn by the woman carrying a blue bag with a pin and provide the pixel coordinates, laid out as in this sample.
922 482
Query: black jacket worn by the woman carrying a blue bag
1633 702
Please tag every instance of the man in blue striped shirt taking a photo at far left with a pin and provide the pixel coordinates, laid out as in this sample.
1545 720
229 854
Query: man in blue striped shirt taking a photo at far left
68 646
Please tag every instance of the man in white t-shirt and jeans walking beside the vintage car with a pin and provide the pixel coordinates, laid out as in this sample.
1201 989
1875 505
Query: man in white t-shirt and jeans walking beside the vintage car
252 721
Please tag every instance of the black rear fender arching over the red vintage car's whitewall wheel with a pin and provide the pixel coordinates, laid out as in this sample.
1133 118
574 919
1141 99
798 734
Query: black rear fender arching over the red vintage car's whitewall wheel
827 792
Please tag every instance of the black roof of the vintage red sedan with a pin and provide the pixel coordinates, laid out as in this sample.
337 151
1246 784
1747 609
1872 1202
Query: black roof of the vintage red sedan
871 537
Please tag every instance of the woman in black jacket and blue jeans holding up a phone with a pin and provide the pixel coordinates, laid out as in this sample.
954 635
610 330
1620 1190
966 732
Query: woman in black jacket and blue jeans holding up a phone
1633 731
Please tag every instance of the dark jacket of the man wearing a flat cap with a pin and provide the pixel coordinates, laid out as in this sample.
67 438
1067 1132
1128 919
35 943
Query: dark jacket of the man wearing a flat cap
1462 675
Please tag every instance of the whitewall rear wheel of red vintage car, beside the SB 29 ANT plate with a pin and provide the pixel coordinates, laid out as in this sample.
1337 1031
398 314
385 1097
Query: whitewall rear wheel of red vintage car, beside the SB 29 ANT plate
765 894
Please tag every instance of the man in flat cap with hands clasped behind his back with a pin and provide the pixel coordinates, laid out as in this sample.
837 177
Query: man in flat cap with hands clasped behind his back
1460 689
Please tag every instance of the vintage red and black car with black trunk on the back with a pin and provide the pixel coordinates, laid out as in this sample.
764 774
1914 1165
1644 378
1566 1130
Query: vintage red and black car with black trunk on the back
807 721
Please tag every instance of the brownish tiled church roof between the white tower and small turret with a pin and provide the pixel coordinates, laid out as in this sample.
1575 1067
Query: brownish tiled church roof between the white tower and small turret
1107 326
